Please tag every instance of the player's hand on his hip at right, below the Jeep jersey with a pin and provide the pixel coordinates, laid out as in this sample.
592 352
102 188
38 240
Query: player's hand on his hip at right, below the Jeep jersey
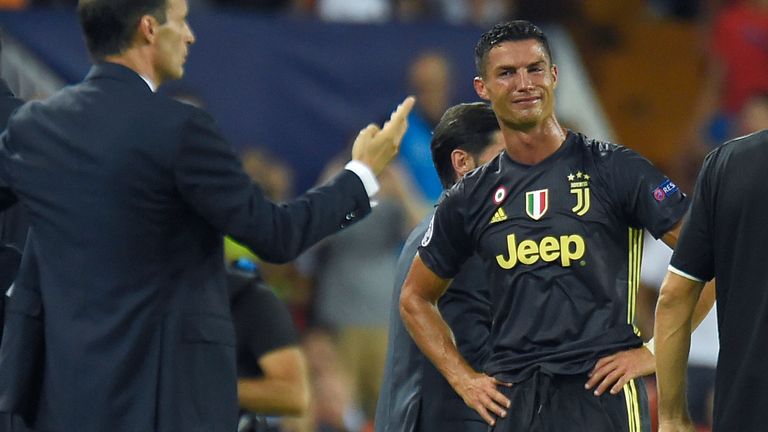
614 371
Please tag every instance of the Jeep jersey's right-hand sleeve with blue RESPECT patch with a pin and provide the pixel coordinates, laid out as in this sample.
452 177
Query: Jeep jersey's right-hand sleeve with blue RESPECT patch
648 198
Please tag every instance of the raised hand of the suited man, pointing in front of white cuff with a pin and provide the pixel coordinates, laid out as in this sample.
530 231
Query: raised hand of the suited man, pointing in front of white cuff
375 146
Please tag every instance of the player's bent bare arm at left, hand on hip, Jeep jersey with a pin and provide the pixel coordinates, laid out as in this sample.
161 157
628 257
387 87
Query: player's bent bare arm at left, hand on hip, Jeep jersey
418 308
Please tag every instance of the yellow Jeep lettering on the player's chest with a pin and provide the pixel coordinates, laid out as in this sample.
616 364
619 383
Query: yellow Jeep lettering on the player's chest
567 248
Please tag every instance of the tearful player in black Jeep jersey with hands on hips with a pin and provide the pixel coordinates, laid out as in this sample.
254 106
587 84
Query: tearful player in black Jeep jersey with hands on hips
557 220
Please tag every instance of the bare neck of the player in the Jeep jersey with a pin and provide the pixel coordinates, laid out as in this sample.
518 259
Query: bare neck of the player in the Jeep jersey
532 146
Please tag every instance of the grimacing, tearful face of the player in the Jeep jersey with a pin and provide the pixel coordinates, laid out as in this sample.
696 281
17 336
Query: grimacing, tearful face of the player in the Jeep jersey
520 83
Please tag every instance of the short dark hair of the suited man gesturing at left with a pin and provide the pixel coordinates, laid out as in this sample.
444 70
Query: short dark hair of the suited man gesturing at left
110 25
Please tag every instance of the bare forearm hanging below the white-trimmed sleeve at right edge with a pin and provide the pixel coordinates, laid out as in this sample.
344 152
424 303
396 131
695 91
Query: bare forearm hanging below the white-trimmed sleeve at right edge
674 313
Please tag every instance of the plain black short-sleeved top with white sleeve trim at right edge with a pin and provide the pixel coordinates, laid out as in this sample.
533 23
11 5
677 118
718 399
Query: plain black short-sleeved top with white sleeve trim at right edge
725 237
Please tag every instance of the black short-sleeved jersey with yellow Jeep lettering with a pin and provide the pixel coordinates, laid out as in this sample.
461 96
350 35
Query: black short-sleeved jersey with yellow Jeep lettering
561 242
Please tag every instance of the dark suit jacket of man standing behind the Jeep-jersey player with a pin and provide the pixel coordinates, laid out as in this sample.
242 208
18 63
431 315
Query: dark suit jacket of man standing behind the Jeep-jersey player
414 395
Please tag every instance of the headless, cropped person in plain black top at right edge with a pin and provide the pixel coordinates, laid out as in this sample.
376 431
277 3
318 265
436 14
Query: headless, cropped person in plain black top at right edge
724 237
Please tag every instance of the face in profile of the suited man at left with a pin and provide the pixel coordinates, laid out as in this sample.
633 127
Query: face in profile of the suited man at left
173 40
